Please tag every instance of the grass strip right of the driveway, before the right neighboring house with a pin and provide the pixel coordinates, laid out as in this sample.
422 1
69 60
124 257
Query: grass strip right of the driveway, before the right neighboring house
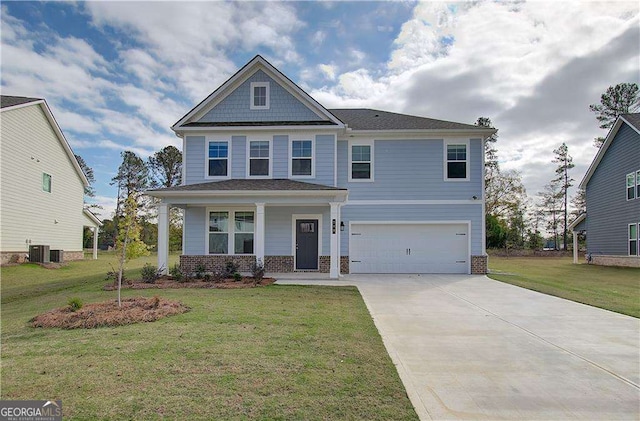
611 288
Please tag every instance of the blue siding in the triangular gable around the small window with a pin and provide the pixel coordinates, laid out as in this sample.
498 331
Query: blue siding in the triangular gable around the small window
283 105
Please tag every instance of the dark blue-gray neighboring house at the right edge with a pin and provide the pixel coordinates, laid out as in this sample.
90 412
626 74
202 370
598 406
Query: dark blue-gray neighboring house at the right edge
612 186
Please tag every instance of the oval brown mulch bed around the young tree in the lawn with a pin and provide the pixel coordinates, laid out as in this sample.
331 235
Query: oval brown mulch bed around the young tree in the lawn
133 310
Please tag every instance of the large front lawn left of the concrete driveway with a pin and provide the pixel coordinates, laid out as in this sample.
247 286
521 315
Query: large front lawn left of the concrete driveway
277 352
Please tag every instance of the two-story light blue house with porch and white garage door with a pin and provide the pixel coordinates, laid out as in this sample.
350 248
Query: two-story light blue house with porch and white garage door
272 176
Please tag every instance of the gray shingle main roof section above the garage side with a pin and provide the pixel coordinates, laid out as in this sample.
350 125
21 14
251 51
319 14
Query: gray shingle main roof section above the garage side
368 119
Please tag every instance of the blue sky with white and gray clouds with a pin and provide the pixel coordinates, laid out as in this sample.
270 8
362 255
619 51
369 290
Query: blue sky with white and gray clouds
118 74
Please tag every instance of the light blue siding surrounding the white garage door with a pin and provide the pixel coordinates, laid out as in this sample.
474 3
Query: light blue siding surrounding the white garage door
471 213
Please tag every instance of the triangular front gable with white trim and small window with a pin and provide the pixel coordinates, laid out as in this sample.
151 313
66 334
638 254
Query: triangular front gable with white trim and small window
258 95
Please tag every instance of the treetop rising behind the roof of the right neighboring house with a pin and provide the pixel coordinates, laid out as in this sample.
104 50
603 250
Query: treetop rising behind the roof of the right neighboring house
620 99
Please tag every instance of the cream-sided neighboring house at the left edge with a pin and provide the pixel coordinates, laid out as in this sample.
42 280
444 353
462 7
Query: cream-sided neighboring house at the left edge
41 184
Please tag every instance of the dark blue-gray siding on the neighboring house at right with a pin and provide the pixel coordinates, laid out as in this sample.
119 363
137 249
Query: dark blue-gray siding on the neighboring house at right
609 213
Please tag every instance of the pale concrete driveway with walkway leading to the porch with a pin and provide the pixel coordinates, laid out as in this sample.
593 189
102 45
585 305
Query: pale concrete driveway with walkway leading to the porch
467 347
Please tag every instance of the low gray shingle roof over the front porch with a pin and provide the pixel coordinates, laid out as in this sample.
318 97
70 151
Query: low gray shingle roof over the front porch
277 184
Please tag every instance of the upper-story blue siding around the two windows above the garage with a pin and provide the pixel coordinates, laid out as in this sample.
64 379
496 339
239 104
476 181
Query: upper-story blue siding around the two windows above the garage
411 169
